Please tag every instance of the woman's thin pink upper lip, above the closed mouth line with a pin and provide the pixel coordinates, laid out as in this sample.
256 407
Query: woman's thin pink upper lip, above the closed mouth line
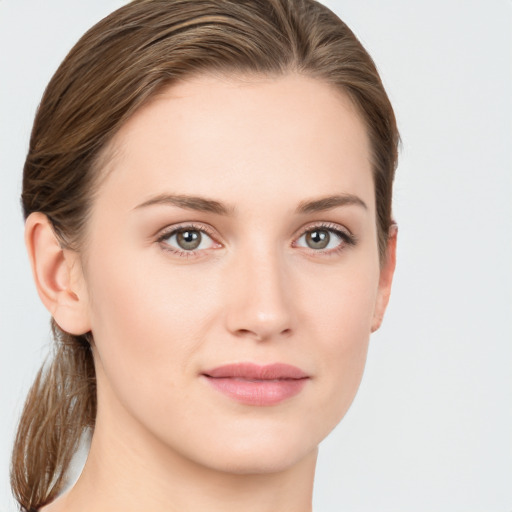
251 371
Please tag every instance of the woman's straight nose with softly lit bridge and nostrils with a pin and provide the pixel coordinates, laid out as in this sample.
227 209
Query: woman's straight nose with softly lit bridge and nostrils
259 304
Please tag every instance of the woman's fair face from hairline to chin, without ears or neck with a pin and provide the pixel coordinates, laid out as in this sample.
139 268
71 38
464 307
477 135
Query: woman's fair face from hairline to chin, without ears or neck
232 271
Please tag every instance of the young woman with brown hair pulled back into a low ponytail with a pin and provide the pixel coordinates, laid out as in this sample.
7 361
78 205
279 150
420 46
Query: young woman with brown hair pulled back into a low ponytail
208 218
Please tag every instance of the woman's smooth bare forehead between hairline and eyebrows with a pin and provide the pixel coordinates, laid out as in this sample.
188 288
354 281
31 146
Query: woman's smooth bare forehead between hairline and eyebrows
232 136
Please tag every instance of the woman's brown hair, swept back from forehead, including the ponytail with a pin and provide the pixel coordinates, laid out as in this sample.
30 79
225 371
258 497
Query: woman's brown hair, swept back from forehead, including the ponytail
113 70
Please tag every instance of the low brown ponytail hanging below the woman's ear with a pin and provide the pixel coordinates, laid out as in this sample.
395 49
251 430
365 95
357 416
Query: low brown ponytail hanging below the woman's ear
60 405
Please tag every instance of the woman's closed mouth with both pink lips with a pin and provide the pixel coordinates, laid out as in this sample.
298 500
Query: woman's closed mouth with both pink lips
253 384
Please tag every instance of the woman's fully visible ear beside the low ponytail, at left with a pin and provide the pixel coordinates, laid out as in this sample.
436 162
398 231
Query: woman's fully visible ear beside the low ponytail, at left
58 276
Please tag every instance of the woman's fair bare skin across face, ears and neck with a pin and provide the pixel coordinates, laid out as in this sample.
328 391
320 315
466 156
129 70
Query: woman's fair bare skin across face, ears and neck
254 291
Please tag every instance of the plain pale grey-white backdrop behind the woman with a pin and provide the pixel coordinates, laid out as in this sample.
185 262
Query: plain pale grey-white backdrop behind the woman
431 427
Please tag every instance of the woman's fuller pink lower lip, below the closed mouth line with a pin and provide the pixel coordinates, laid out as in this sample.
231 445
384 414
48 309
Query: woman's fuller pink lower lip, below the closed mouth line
257 392
